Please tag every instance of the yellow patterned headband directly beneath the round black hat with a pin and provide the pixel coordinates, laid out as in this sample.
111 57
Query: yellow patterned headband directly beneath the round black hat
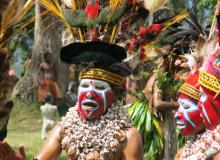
104 75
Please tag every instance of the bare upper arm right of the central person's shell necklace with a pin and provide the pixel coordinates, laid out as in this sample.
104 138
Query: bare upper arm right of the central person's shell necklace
134 147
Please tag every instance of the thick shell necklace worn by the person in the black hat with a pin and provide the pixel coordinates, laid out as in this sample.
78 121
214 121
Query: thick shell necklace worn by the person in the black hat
95 139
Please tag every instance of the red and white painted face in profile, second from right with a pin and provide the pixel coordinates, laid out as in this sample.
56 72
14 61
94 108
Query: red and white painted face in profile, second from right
188 117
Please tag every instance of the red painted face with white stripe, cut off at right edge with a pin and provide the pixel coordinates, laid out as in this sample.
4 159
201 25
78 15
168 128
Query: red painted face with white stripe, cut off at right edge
210 107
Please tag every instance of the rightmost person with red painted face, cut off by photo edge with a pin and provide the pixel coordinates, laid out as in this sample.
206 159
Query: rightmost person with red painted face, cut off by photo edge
207 144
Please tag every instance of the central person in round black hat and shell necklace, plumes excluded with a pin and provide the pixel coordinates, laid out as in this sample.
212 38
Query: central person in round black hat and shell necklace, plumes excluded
98 127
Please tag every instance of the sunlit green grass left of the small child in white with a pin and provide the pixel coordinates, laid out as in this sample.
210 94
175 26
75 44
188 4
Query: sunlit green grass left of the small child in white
24 128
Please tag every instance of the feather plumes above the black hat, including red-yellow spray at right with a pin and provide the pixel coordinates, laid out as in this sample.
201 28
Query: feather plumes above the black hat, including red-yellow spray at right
109 21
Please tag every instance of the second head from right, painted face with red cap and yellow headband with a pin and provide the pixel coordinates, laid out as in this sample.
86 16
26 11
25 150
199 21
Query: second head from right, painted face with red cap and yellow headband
187 116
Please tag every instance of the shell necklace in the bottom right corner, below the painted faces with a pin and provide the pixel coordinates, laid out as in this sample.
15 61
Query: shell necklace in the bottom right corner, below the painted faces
205 146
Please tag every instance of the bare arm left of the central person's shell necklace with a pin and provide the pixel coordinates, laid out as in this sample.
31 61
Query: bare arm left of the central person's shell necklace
52 148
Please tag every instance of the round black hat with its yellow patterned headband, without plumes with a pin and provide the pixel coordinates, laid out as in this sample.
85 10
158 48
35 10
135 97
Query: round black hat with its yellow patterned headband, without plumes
98 60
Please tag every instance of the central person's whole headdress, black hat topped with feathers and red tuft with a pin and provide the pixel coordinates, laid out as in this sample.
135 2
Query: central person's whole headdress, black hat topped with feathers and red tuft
95 27
